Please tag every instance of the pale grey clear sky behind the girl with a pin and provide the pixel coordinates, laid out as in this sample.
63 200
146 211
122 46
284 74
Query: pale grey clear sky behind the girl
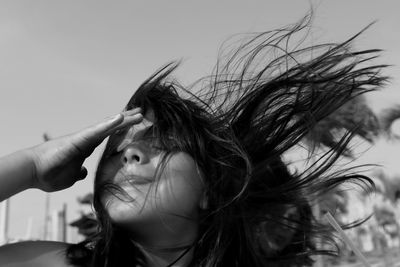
65 65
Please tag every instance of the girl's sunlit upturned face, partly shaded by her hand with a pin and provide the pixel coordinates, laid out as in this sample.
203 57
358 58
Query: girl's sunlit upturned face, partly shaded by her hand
156 193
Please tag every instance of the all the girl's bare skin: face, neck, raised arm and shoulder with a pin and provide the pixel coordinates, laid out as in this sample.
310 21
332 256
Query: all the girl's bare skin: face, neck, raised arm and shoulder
163 213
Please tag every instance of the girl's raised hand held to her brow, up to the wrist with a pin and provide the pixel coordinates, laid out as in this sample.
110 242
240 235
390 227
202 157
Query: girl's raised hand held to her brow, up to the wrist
58 162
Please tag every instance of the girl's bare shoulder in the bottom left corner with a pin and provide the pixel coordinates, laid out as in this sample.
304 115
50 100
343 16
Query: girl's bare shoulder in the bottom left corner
34 253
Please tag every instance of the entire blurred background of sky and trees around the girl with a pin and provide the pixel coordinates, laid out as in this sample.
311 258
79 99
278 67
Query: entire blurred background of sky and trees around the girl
68 64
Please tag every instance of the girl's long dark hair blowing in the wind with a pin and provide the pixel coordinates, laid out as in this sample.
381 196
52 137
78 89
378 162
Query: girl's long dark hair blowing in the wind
263 98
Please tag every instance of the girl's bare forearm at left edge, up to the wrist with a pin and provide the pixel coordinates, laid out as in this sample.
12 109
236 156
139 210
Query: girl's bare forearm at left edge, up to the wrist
16 173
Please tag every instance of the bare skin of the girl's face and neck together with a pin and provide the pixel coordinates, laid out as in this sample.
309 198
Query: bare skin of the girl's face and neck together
162 211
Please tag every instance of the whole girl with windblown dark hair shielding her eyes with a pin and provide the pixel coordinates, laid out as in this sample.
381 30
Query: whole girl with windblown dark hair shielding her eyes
196 178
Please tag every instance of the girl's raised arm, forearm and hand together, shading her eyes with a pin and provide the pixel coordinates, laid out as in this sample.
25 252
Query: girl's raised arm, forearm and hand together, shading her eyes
57 164
